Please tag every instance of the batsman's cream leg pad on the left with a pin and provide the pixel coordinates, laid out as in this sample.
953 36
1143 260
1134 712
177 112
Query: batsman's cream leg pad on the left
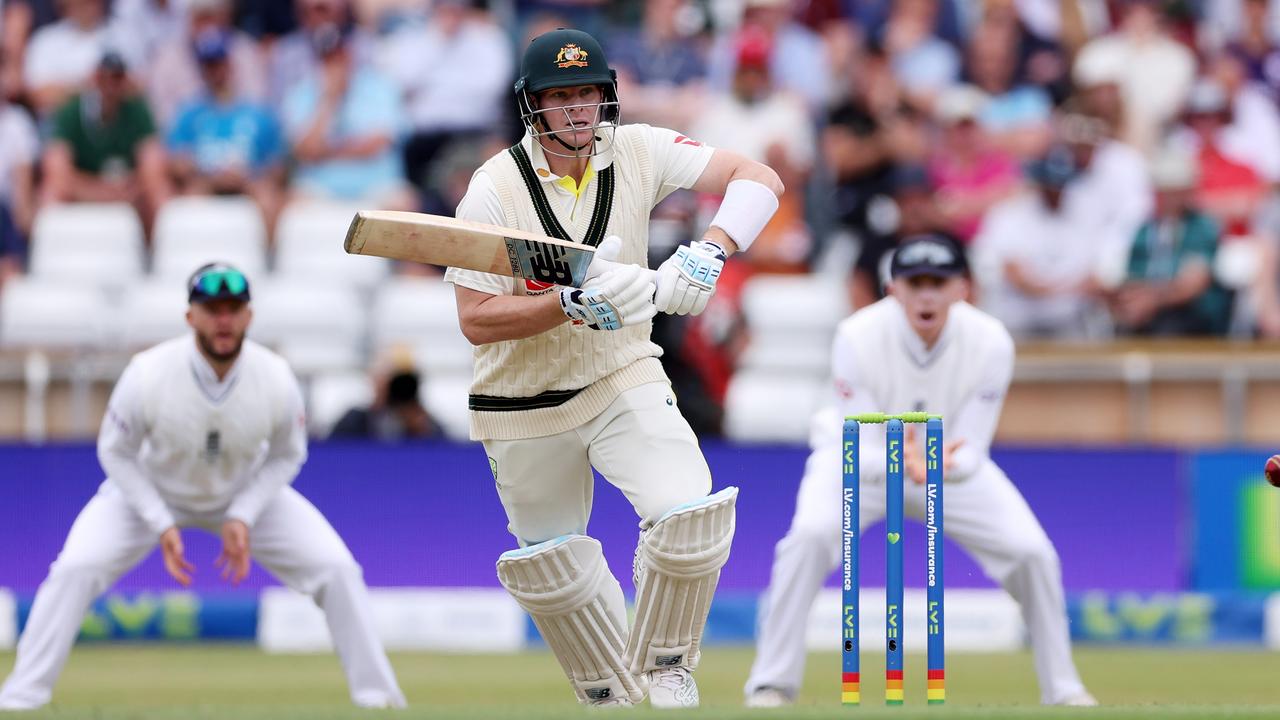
565 585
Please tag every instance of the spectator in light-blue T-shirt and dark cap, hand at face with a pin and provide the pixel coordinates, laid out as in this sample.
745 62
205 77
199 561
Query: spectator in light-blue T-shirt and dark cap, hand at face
344 124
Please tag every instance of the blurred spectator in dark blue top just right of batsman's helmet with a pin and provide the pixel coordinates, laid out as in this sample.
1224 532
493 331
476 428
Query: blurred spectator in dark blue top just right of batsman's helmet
662 66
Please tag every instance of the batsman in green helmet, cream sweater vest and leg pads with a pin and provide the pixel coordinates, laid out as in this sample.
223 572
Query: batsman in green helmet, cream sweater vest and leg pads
568 380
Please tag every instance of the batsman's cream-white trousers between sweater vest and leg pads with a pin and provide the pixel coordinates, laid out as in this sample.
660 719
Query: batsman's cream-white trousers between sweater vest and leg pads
641 444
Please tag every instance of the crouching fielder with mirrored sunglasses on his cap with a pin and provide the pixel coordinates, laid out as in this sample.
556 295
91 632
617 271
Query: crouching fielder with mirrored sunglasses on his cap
205 431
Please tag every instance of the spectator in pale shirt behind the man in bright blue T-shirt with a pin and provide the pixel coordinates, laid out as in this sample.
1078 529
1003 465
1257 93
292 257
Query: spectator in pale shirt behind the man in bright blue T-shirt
175 78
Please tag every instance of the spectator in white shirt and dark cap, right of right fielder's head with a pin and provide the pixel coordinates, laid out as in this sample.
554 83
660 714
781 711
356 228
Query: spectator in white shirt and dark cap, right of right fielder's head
1035 258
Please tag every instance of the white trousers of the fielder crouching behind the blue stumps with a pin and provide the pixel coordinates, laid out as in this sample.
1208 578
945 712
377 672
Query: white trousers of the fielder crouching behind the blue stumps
985 514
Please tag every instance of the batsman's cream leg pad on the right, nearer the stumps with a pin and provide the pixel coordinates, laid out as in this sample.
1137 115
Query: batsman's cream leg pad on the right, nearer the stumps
678 566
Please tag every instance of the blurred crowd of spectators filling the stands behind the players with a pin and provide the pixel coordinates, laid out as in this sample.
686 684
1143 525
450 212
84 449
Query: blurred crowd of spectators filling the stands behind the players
1112 166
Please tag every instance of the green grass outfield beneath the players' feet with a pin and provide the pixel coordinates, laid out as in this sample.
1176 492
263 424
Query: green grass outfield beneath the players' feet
239 682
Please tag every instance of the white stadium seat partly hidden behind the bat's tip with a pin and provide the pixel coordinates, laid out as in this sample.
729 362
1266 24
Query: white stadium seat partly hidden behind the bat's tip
309 244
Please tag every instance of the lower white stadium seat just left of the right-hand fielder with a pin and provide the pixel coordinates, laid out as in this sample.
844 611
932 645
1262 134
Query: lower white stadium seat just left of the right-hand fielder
771 407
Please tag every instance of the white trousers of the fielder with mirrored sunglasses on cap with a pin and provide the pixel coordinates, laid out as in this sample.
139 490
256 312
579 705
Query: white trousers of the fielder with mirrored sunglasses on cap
291 539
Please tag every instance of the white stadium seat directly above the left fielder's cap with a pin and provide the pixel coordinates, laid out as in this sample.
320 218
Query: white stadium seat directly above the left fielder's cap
194 231
